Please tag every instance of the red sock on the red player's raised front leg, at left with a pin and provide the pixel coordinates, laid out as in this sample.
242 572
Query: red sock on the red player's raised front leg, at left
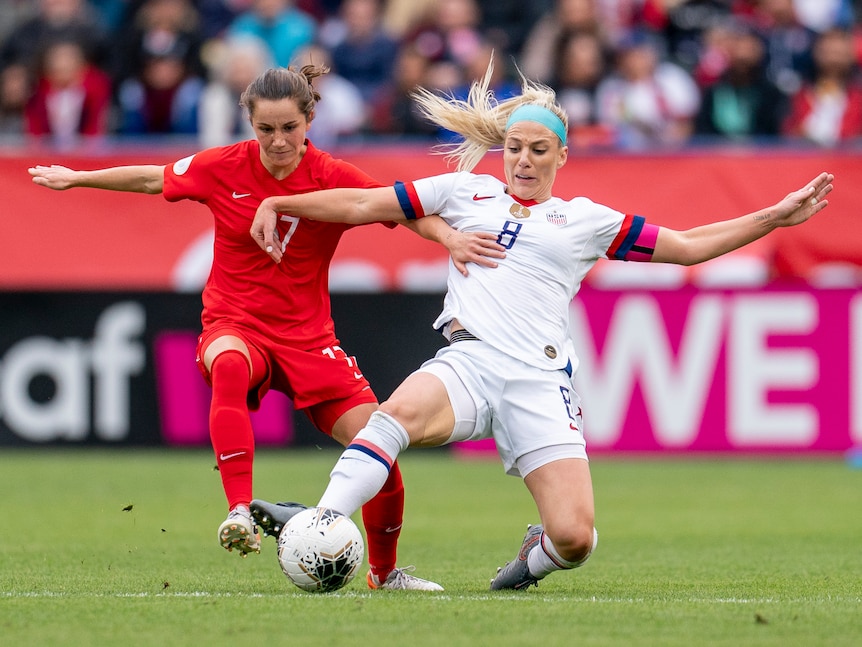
230 426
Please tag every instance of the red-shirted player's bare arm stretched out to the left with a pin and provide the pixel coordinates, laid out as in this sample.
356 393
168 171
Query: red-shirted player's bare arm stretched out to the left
138 179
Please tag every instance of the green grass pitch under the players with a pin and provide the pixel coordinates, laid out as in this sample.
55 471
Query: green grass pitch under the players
119 548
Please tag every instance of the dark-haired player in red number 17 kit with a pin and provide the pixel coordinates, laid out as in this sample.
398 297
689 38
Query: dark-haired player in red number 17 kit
268 326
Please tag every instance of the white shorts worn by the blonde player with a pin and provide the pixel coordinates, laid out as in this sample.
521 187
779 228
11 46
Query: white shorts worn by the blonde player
534 415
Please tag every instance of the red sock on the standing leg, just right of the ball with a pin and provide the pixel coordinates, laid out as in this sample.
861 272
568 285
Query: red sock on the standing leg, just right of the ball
382 517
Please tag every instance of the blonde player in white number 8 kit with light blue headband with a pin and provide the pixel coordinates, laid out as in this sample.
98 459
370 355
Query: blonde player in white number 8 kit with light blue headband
507 370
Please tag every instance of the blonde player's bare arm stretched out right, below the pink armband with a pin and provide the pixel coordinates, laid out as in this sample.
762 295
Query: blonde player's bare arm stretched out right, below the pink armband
709 241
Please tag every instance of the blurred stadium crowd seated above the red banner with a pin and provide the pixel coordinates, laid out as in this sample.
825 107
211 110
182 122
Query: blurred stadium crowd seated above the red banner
632 74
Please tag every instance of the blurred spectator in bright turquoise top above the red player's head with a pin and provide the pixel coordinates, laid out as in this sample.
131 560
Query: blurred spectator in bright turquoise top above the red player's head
283 27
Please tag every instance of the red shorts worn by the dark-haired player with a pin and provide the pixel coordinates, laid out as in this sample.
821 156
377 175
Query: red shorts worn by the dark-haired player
324 382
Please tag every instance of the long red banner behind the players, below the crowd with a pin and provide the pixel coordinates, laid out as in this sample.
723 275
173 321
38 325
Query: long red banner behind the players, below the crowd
87 239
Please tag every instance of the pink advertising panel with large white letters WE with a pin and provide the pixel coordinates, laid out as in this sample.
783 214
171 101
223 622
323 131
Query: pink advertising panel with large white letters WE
768 370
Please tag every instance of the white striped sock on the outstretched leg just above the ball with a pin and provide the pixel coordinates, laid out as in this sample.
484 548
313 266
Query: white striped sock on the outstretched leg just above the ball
364 465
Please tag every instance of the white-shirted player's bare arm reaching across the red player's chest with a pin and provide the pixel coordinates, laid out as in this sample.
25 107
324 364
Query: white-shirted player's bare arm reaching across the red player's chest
353 206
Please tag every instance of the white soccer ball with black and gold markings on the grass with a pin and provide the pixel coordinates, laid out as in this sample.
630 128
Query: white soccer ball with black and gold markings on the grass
320 550
